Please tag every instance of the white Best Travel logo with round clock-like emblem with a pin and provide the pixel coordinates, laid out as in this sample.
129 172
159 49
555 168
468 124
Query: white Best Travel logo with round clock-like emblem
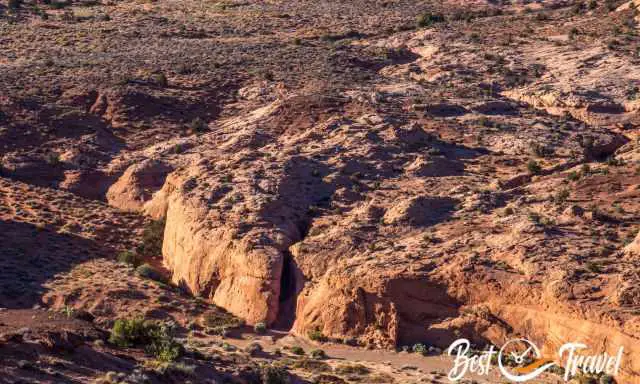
520 360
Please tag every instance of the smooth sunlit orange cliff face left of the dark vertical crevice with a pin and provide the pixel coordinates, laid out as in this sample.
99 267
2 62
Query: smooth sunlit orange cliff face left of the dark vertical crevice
214 265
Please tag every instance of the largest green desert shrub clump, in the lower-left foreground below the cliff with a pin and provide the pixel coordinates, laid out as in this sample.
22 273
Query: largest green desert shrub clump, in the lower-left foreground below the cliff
155 337
